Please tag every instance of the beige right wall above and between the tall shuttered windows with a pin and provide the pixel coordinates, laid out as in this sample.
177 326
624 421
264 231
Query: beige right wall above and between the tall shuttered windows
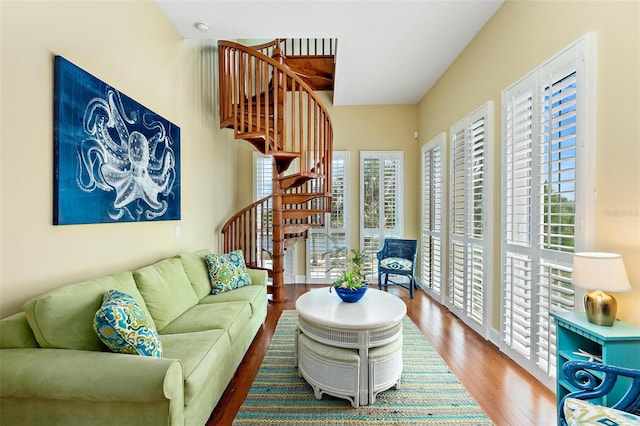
523 35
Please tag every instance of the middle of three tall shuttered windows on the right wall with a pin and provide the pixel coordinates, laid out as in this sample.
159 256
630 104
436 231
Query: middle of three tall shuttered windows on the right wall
469 242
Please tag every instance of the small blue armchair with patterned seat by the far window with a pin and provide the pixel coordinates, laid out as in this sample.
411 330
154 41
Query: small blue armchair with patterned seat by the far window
397 257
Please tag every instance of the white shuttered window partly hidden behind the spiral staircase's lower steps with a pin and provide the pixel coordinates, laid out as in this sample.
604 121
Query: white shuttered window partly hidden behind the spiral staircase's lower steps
324 241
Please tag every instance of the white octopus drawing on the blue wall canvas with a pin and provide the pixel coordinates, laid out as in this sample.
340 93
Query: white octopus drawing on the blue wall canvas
114 158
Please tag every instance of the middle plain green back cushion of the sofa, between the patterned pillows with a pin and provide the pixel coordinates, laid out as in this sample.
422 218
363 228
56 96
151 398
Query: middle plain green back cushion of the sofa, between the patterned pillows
166 290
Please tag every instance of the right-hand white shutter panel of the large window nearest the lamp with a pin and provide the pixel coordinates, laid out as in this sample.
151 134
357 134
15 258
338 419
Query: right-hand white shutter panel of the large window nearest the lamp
557 189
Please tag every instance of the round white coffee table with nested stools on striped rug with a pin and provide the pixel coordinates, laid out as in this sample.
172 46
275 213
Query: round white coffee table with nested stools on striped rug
373 321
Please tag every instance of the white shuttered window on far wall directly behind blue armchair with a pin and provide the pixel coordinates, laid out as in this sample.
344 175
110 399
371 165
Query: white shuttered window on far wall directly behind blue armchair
381 201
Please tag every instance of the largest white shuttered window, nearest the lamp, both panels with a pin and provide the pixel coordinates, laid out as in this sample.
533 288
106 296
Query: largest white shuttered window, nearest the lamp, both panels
546 119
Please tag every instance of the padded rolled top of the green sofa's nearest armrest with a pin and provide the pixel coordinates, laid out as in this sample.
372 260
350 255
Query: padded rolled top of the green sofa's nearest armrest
88 375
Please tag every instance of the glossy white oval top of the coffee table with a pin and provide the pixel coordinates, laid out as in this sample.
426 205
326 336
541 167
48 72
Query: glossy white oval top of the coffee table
376 309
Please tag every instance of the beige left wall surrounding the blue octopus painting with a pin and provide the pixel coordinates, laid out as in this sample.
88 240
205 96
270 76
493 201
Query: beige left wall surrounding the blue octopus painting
133 47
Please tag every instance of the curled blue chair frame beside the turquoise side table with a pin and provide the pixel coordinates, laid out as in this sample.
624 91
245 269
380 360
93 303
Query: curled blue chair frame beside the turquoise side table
595 380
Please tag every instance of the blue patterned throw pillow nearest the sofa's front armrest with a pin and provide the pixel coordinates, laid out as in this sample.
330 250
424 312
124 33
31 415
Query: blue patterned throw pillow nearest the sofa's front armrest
124 327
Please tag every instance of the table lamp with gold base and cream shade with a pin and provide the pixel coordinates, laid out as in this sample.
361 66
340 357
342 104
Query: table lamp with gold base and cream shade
600 272
